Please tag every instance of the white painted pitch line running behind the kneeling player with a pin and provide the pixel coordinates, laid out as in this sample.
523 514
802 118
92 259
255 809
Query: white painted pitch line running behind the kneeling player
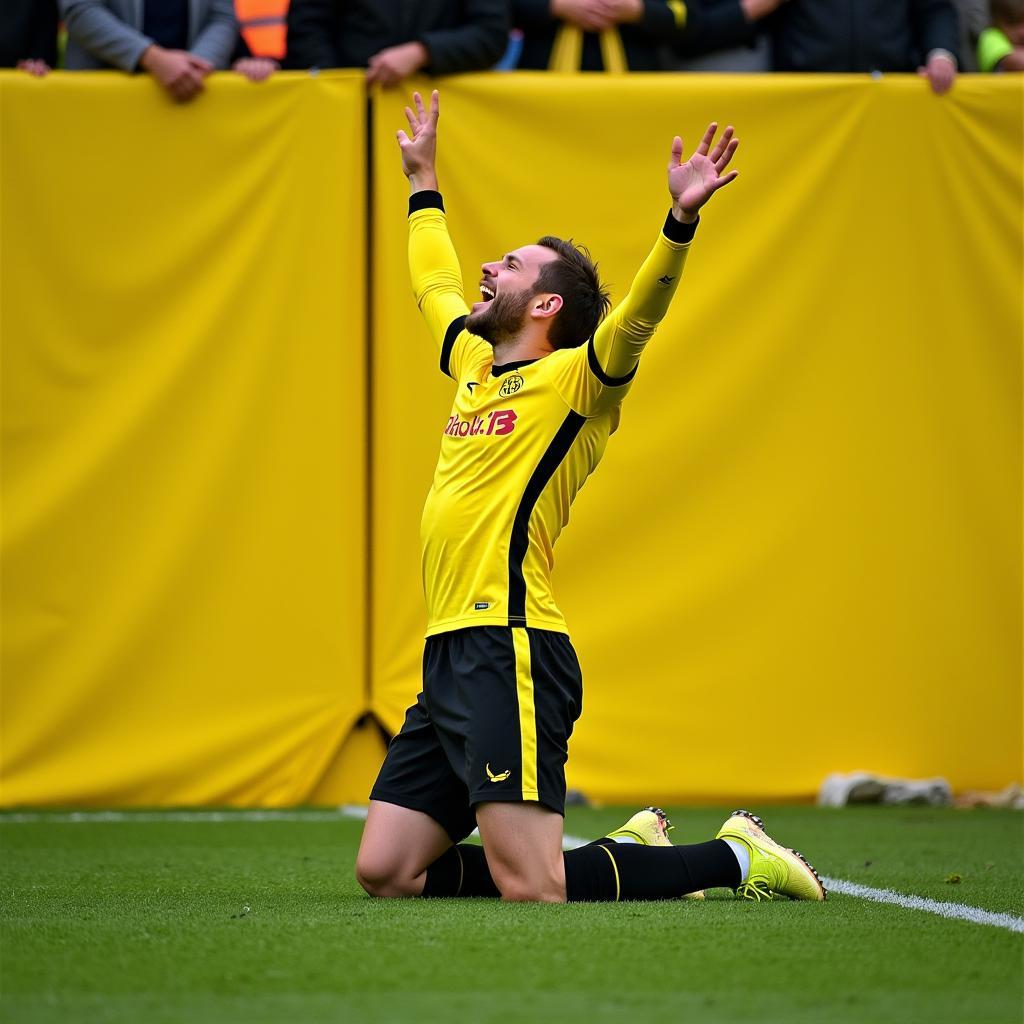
953 912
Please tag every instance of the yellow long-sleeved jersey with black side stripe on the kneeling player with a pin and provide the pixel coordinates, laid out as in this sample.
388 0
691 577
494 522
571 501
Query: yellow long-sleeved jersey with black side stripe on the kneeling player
522 438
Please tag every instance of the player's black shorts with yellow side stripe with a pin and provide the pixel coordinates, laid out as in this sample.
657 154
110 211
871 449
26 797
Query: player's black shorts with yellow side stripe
493 723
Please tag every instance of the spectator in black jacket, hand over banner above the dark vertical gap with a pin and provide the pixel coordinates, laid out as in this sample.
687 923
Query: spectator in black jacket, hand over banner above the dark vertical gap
394 39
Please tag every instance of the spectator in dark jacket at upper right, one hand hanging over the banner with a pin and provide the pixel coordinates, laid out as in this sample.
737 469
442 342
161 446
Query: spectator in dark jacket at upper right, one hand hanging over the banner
868 35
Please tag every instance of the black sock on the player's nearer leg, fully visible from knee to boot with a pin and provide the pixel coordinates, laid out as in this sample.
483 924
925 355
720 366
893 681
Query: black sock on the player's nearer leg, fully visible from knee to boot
629 872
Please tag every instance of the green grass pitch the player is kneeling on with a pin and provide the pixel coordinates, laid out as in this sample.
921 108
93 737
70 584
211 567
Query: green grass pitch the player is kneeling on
237 920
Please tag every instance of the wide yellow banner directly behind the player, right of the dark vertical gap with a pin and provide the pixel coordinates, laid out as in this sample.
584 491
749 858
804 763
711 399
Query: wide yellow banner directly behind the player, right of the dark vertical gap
802 552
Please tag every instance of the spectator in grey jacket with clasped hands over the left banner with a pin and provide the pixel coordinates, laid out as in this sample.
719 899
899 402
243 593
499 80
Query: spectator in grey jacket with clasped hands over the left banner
179 42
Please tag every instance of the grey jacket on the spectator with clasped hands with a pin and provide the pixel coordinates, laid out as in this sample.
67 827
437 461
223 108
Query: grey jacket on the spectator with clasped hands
109 33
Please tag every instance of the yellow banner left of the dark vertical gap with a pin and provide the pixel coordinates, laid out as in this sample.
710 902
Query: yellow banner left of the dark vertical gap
184 439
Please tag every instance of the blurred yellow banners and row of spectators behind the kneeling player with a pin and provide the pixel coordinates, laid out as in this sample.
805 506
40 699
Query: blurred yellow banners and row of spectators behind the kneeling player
222 411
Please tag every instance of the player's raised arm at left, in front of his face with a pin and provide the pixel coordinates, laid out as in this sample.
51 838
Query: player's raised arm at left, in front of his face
433 262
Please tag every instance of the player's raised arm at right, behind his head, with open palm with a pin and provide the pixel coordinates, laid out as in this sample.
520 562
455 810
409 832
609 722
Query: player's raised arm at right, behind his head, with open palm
622 337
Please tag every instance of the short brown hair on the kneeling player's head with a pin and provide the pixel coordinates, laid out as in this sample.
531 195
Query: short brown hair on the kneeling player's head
585 302
